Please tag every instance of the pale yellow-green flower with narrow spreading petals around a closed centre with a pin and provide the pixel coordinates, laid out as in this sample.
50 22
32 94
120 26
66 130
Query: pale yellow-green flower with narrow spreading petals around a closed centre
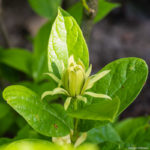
75 82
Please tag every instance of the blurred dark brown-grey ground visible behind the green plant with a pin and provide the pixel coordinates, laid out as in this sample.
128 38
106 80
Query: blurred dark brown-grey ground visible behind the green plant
125 32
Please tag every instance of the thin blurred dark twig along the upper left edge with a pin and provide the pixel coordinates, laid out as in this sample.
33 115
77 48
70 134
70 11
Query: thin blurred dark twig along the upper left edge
3 29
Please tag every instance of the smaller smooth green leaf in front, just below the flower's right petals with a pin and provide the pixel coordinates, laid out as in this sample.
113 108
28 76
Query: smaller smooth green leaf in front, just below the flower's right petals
104 110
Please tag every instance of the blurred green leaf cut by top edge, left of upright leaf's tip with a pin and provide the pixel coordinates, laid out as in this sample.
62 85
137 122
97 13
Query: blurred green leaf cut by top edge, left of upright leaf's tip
45 8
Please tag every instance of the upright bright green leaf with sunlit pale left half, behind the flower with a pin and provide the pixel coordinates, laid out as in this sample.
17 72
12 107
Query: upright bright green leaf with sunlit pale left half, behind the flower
66 39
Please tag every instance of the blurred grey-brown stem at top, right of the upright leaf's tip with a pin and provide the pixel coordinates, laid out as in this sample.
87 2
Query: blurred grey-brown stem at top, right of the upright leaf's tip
88 16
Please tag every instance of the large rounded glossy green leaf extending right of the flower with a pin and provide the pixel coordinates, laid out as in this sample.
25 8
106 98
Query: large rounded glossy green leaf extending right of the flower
126 79
